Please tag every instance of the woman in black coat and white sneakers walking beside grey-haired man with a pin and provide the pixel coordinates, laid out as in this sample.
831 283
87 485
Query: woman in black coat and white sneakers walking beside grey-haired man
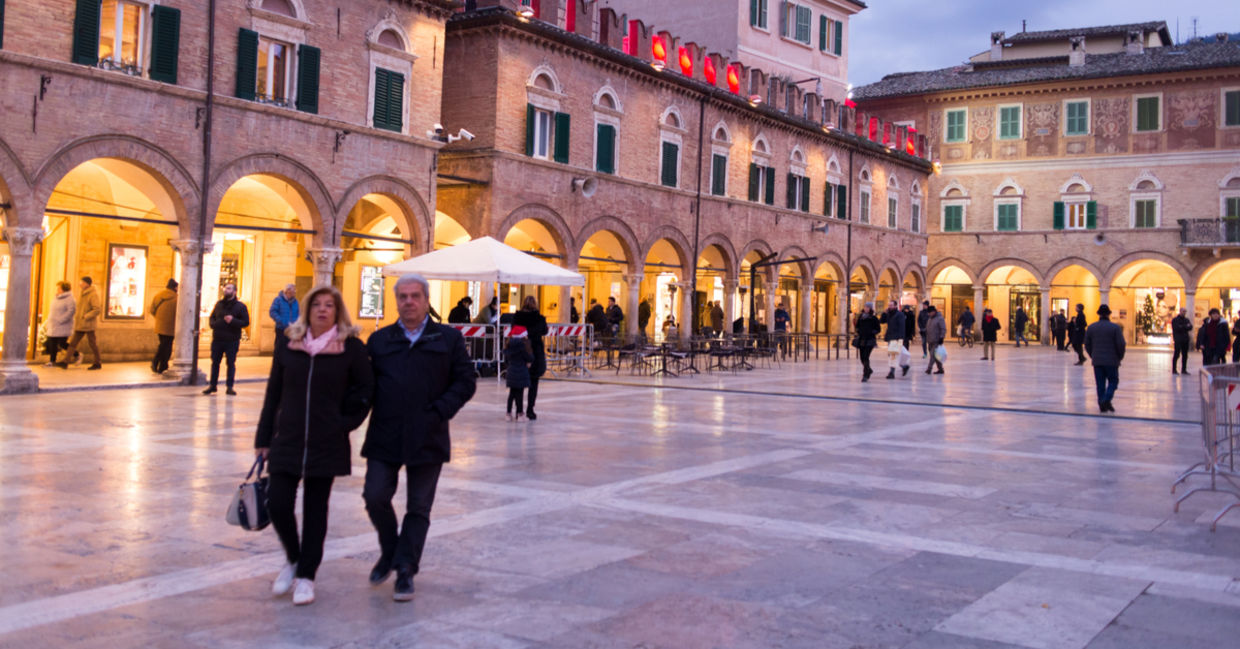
319 392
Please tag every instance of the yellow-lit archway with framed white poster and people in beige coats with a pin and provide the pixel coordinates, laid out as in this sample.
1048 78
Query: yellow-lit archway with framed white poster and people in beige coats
110 220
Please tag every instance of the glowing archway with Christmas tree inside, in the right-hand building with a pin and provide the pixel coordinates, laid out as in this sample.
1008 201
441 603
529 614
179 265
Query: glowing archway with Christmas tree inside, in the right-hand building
1145 296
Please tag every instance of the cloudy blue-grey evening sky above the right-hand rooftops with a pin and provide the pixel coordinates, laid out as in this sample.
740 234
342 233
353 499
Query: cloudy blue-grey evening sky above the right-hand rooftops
912 35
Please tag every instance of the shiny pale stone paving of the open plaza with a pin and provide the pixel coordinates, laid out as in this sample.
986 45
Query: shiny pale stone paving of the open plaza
782 508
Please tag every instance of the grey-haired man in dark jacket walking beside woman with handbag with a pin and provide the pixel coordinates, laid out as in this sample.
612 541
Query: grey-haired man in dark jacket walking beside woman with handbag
423 377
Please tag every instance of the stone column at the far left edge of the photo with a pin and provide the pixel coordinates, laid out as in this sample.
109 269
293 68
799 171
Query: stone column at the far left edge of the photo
15 375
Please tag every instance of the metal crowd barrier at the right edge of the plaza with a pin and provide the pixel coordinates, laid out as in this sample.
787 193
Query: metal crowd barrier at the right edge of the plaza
1221 432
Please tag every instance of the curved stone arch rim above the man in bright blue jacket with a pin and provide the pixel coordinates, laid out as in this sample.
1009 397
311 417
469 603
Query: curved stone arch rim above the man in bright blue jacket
312 189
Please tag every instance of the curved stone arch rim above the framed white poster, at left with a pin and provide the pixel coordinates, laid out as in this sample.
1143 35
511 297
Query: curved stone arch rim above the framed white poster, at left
162 166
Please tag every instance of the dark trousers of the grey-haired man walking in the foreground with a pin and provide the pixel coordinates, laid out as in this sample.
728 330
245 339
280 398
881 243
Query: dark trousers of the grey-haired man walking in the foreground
404 548
